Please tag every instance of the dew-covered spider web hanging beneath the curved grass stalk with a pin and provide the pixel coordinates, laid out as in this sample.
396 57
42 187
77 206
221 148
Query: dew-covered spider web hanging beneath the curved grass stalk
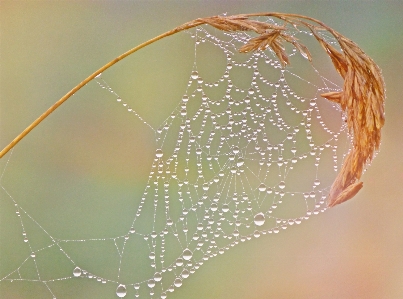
248 153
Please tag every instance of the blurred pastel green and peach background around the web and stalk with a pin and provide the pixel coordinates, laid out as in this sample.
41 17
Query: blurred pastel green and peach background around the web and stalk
47 47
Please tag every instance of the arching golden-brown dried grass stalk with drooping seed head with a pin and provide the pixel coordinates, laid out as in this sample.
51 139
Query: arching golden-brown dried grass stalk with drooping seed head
362 97
